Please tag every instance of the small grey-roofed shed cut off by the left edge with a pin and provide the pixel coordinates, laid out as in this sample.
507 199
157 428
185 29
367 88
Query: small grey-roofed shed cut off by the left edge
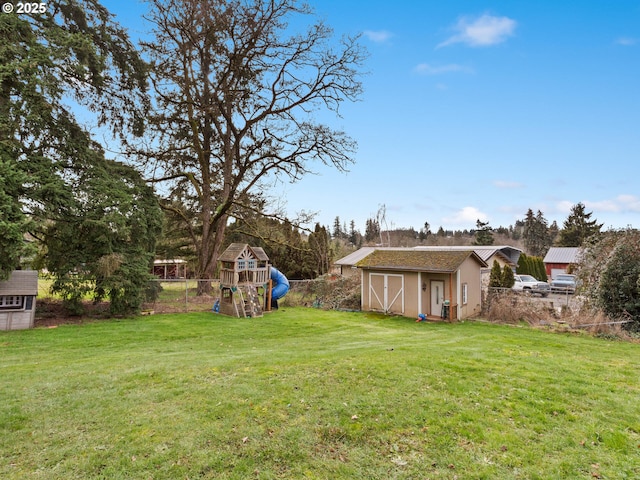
18 300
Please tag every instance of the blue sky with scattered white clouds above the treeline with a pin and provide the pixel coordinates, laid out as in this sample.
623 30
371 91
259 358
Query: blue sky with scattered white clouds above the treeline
482 110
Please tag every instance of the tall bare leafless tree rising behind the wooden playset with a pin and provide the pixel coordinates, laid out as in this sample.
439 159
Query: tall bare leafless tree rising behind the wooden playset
236 86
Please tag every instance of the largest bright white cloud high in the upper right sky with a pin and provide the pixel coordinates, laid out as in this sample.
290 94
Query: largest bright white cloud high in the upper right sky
483 31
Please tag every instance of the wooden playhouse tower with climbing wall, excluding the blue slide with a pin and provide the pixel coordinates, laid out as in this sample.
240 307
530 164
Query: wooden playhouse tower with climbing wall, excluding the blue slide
244 281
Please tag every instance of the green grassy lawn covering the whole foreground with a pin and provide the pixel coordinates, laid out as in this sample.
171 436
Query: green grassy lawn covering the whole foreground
303 393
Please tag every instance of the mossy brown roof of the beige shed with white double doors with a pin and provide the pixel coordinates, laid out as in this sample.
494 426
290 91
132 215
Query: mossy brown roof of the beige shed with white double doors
446 261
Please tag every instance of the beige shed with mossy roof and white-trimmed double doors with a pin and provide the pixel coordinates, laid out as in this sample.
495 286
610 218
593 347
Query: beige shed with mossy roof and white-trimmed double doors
436 283
